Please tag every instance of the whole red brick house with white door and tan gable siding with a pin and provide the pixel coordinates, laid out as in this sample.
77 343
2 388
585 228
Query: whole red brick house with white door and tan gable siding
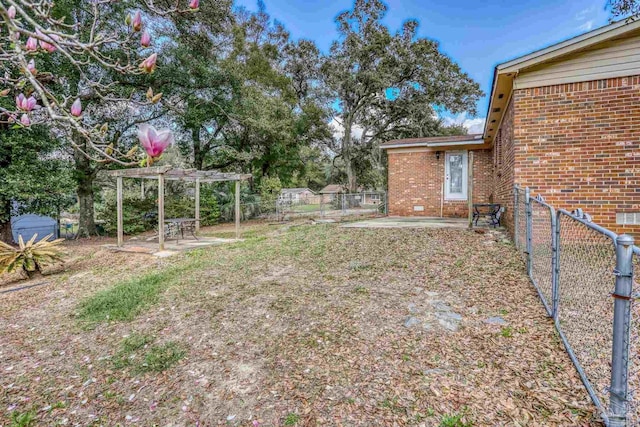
564 121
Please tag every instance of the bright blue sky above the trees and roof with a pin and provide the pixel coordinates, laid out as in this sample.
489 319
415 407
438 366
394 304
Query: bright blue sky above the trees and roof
477 35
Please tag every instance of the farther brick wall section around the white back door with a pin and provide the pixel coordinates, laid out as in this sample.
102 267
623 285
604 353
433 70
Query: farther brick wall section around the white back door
416 178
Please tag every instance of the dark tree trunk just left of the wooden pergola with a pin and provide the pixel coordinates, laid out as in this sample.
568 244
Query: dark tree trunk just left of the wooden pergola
85 176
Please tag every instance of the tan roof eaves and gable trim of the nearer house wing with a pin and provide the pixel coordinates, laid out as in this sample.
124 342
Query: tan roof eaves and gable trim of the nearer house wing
507 72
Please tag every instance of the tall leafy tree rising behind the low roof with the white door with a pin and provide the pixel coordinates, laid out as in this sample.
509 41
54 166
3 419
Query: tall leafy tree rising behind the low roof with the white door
380 78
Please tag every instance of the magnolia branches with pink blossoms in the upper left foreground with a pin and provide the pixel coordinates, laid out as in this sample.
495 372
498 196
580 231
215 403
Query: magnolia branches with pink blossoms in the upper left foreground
33 37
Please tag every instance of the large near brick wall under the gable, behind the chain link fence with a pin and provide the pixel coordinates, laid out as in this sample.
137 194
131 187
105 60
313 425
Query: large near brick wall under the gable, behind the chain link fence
579 146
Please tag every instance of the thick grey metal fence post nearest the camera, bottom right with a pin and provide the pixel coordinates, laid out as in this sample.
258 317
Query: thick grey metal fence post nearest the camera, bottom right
621 326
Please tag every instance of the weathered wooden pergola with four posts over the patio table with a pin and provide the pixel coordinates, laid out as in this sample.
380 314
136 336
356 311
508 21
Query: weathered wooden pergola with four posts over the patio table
163 173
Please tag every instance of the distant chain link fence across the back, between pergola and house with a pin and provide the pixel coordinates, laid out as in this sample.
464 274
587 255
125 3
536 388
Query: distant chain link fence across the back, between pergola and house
336 205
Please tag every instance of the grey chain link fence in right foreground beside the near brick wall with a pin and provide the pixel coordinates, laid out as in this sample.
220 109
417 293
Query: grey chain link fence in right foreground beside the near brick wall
584 276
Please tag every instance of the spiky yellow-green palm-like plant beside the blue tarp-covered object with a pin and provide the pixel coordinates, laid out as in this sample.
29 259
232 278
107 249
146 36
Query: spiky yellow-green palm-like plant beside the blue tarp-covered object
31 256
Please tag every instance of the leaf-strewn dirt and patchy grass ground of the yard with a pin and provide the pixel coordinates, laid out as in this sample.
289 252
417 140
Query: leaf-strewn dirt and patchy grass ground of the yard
309 325
